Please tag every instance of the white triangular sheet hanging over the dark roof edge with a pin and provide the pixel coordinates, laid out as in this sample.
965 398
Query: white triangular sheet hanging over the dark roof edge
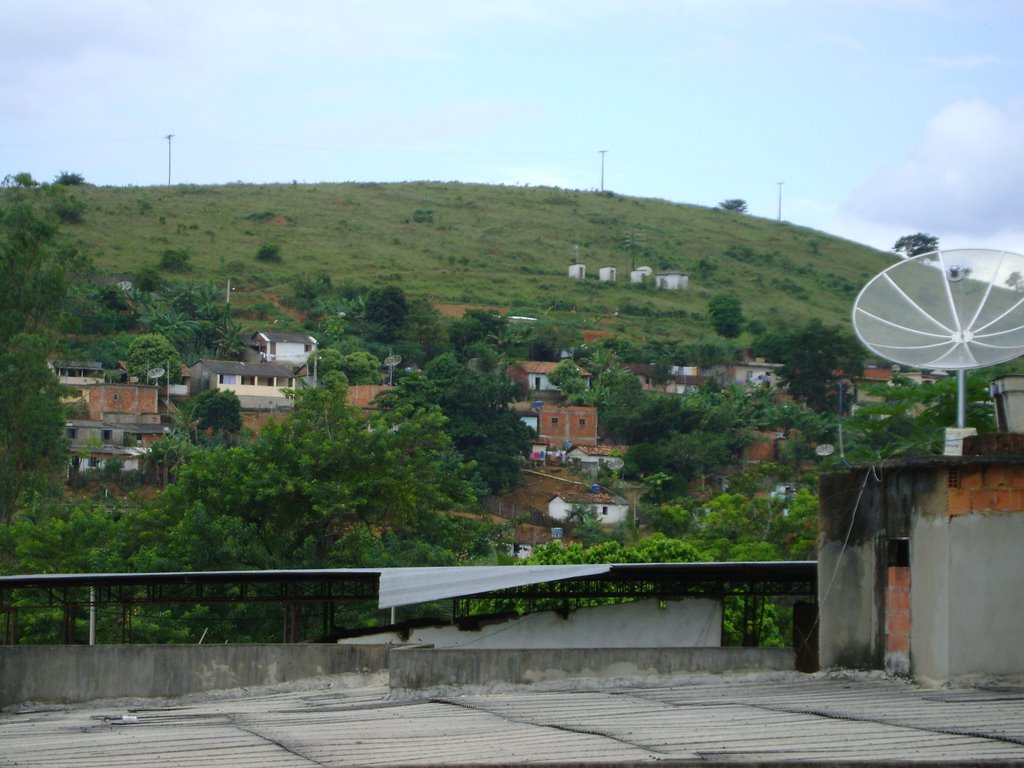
413 586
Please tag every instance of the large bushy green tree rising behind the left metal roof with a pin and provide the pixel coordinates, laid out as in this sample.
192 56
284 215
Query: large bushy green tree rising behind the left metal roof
307 489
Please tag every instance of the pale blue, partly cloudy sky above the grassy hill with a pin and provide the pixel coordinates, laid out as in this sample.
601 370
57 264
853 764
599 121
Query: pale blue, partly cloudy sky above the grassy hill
866 119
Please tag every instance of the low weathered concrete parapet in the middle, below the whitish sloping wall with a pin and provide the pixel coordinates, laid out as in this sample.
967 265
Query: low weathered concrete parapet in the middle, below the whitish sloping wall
428 668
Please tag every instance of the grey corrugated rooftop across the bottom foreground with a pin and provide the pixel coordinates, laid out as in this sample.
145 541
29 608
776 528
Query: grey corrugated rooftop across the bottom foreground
764 720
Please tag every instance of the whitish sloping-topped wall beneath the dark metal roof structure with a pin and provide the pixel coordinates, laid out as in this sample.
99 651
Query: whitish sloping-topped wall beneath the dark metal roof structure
647 624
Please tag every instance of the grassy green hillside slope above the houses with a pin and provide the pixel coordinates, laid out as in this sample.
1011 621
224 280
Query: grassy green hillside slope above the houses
497 246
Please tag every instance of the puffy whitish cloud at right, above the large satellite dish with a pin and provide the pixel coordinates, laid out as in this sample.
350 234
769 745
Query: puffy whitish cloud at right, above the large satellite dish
965 179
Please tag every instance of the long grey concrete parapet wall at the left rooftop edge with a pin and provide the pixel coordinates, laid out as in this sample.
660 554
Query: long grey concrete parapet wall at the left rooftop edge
80 673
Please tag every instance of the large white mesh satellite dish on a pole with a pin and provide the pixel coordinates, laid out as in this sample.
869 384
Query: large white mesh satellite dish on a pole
958 310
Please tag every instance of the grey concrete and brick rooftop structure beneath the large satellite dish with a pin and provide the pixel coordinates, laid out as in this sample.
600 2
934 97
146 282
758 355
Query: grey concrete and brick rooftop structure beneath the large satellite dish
960 523
